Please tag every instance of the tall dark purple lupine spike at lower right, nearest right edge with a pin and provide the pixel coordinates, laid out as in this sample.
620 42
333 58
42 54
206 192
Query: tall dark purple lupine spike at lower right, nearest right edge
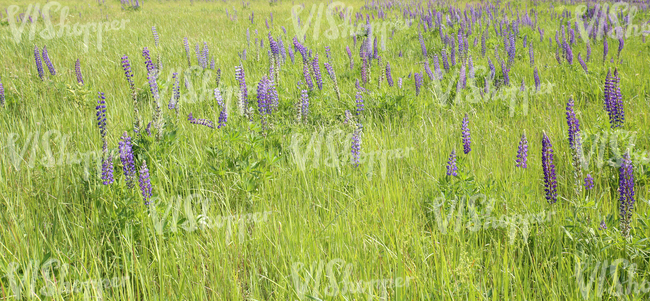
626 193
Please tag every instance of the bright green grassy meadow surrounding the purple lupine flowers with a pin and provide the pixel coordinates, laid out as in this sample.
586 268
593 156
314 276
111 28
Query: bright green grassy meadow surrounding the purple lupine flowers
381 224
